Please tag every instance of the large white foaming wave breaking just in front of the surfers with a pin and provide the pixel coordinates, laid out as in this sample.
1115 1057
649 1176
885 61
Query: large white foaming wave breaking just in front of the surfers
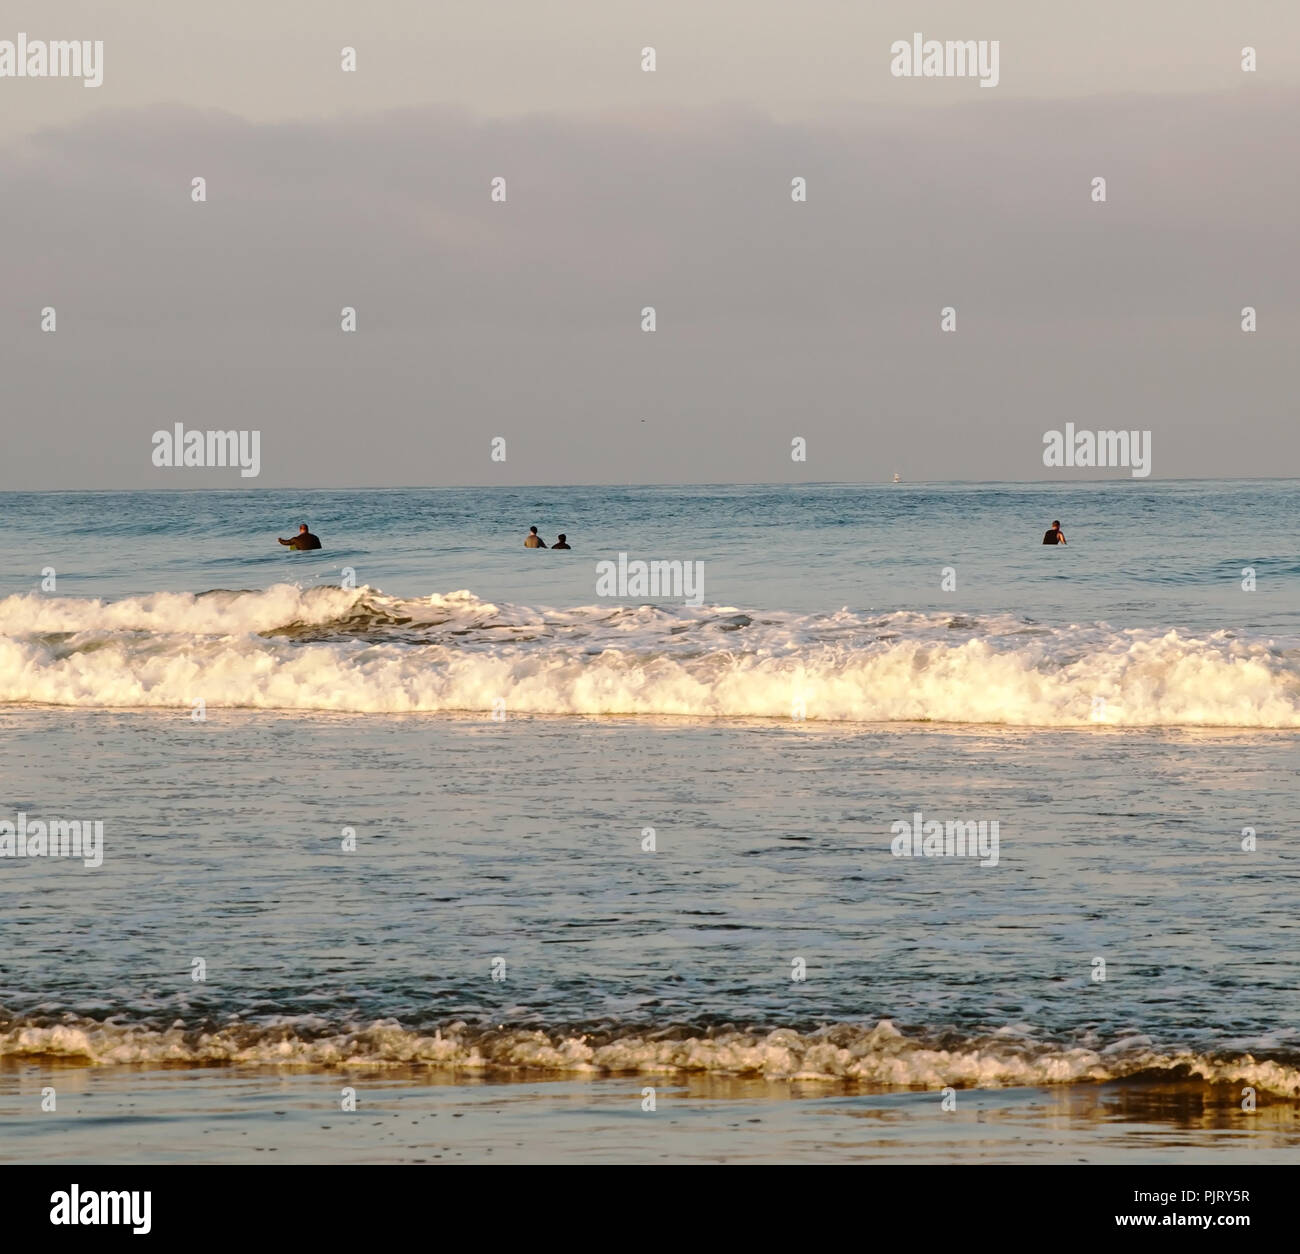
358 650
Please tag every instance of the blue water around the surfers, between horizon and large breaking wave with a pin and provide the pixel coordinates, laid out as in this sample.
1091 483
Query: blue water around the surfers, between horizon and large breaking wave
1138 554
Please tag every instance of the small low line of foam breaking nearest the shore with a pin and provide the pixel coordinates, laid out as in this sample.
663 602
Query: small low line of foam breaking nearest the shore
872 1056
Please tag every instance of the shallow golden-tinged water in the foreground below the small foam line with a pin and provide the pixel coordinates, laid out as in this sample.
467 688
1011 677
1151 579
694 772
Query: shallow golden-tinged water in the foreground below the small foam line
250 1116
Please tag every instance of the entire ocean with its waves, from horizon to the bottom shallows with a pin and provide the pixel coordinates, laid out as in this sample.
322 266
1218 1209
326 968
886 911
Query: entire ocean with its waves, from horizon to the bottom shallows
423 826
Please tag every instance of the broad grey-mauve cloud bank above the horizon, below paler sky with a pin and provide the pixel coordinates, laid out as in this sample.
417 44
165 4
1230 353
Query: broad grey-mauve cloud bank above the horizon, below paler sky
775 319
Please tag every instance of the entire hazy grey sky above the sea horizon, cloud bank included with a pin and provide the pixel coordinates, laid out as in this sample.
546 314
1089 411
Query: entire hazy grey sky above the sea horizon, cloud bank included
523 320
